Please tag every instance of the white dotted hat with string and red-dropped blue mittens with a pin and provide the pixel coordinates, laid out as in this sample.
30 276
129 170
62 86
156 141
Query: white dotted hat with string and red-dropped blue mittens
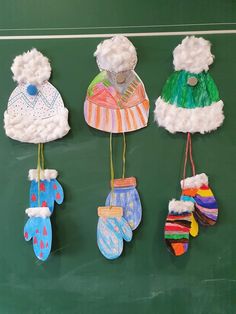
36 114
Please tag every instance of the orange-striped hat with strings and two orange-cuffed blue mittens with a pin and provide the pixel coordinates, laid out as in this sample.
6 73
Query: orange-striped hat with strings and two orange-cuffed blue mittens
116 102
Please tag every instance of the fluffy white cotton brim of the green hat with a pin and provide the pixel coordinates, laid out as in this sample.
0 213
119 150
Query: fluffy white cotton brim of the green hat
178 119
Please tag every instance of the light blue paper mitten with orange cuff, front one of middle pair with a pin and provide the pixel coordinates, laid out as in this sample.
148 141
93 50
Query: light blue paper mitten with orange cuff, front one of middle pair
112 229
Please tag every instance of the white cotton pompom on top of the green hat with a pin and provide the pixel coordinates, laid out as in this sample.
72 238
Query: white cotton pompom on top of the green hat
193 55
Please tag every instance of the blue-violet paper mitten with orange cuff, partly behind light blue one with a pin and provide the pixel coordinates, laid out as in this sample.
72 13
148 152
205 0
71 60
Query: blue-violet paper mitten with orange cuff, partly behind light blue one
126 196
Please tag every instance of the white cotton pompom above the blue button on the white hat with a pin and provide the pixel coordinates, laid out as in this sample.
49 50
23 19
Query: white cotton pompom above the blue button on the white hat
32 67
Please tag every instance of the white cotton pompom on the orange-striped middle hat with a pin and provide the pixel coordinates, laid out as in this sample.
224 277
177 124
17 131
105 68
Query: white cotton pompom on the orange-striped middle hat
116 54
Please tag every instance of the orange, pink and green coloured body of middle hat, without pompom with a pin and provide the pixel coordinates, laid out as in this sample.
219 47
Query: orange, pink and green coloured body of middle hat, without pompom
107 109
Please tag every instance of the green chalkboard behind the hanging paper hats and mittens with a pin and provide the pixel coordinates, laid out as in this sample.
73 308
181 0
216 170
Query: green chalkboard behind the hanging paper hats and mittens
146 279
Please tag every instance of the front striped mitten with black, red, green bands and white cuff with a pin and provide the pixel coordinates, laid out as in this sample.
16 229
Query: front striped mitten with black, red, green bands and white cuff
177 226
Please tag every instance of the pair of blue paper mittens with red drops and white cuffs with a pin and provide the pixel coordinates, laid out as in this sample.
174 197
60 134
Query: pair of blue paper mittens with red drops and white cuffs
42 198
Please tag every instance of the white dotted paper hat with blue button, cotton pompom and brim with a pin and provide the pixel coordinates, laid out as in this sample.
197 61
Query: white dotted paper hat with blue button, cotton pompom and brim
35 112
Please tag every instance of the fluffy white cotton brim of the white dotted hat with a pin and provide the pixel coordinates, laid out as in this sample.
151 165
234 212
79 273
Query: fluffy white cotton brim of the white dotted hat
31 130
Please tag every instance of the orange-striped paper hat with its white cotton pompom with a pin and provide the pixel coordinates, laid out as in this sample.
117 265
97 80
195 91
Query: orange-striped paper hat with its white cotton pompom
106 108
